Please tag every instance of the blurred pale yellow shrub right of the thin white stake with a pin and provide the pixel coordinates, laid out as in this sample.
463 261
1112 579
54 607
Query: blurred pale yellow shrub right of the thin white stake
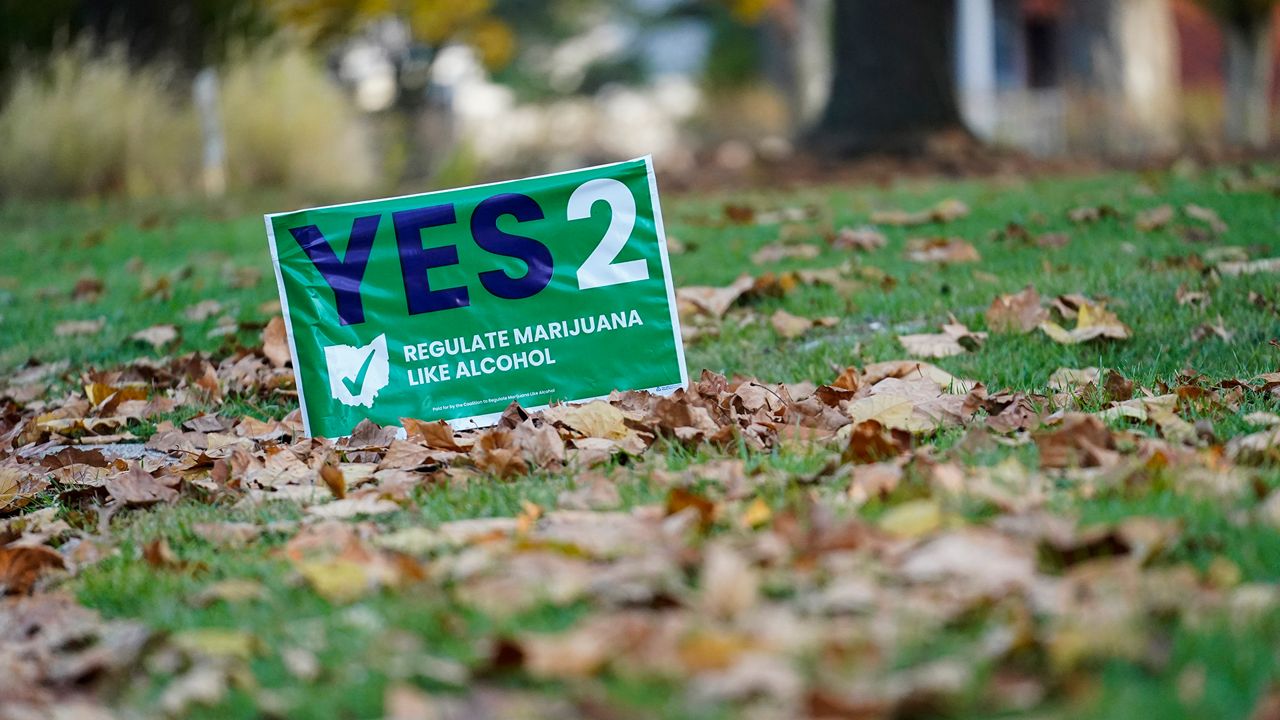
290 125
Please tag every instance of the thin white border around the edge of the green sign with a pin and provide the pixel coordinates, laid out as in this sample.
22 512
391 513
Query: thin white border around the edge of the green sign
490 420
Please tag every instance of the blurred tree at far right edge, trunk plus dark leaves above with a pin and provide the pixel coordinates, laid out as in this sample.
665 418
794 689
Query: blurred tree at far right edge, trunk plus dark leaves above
1249 26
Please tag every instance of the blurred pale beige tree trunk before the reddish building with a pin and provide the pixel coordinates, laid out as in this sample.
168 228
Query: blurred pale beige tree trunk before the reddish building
1123 65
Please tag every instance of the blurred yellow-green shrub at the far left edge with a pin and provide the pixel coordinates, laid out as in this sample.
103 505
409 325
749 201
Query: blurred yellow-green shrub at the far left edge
92 125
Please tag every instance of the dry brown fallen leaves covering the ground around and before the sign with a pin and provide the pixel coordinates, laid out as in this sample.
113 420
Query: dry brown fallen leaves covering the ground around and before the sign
789 608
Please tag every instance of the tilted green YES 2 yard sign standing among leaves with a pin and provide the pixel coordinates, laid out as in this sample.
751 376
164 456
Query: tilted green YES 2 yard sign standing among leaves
450 306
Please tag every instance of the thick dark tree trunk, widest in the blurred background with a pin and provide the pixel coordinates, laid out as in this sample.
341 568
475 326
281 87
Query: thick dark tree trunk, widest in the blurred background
894 83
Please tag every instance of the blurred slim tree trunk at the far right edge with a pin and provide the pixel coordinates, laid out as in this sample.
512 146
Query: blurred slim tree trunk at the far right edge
1250 61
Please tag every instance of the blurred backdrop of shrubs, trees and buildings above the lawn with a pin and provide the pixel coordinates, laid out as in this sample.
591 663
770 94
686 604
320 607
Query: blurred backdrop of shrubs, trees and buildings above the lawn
143 98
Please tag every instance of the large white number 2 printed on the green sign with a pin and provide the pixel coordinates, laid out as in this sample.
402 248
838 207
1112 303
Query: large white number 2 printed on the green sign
600 270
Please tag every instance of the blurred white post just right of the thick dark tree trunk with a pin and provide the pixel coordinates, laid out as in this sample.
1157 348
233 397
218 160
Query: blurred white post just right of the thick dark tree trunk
976 66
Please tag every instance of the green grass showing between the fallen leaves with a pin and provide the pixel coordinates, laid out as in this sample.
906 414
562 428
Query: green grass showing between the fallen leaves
383 640
